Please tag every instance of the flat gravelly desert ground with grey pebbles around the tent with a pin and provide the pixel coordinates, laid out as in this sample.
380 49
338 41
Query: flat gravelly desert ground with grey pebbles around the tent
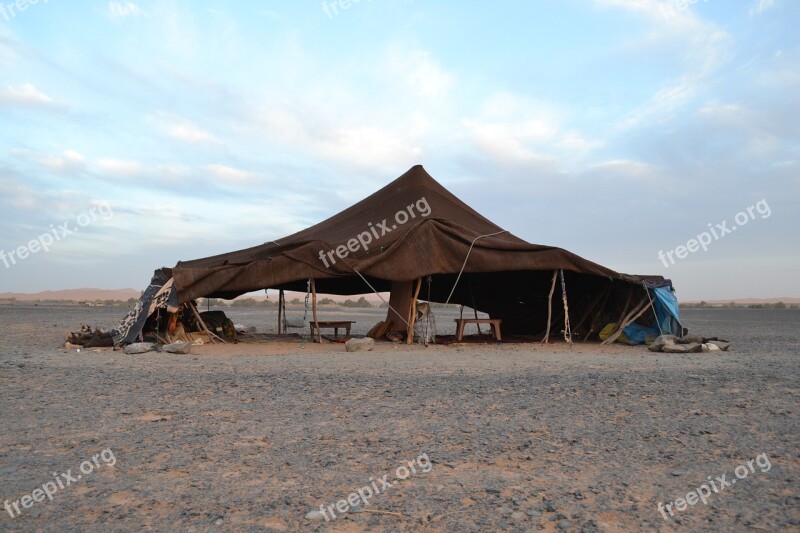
500 437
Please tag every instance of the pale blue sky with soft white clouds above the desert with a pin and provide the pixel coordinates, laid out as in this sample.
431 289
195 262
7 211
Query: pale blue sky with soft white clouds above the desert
635 133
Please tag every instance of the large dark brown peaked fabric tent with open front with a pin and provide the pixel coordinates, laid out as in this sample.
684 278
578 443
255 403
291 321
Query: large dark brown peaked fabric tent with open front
415 239
